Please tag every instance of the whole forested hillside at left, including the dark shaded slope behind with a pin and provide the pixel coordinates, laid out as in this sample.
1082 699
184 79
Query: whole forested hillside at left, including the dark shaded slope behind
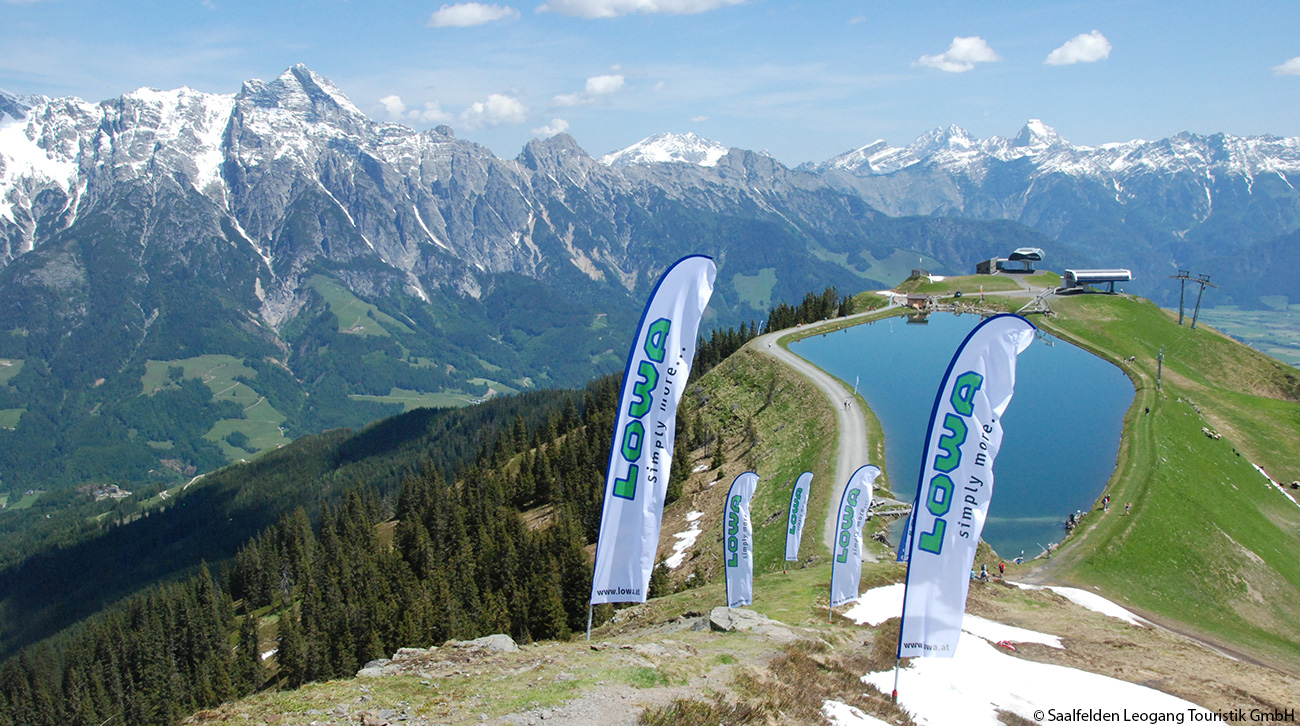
423 528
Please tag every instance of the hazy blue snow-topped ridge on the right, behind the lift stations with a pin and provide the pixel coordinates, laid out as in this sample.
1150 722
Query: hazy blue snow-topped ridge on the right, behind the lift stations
1188 201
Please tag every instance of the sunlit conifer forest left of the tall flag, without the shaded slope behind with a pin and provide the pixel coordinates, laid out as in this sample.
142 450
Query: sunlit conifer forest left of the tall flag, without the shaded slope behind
352 577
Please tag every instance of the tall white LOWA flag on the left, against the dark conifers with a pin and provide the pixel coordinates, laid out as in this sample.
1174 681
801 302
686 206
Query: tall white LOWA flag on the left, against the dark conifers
642 456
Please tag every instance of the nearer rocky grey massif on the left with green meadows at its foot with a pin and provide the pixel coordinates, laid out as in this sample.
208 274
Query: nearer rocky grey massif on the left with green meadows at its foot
257 266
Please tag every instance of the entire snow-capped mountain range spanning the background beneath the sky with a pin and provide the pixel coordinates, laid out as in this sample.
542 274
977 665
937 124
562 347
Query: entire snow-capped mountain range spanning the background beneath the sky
167 226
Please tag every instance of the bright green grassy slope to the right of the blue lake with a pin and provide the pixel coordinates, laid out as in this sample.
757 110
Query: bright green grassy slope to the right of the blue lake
1210 543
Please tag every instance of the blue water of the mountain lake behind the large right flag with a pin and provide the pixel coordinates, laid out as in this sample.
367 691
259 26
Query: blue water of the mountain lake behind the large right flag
1061 431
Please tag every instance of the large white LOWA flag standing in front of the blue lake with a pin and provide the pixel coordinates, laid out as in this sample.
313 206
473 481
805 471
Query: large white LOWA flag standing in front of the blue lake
957 485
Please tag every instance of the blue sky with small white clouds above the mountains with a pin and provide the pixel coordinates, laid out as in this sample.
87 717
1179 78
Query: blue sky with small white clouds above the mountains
804 81
